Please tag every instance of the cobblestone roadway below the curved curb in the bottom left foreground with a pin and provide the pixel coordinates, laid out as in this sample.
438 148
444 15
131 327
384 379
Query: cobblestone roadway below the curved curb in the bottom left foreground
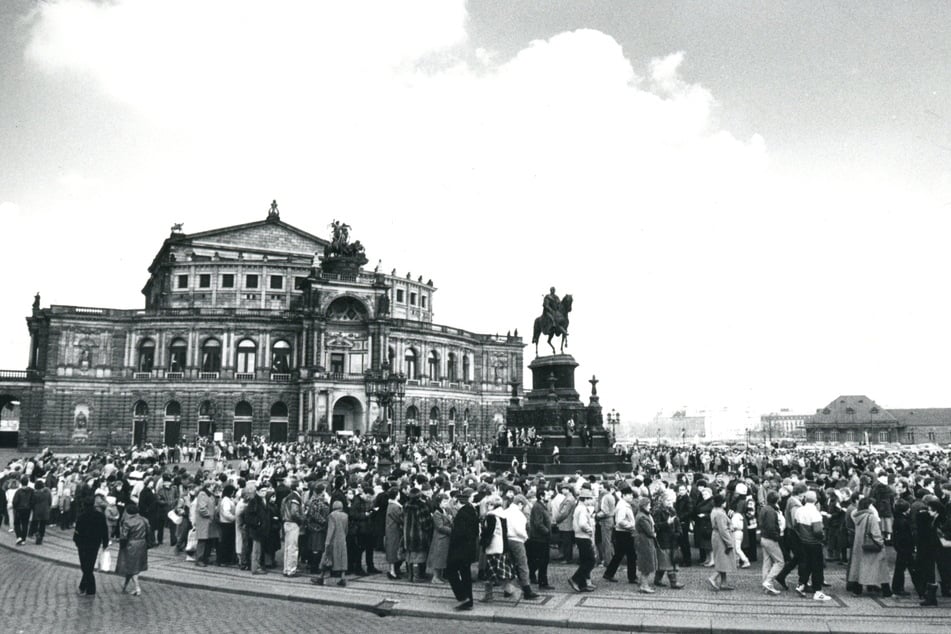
39 597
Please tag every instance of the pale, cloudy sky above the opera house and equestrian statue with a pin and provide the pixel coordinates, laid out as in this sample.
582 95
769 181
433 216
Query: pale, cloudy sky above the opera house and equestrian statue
749 202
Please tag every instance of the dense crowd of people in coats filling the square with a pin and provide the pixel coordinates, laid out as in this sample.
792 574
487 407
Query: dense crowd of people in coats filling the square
434 511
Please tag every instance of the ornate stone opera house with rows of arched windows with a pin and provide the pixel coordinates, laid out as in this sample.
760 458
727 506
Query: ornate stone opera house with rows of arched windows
243 332
